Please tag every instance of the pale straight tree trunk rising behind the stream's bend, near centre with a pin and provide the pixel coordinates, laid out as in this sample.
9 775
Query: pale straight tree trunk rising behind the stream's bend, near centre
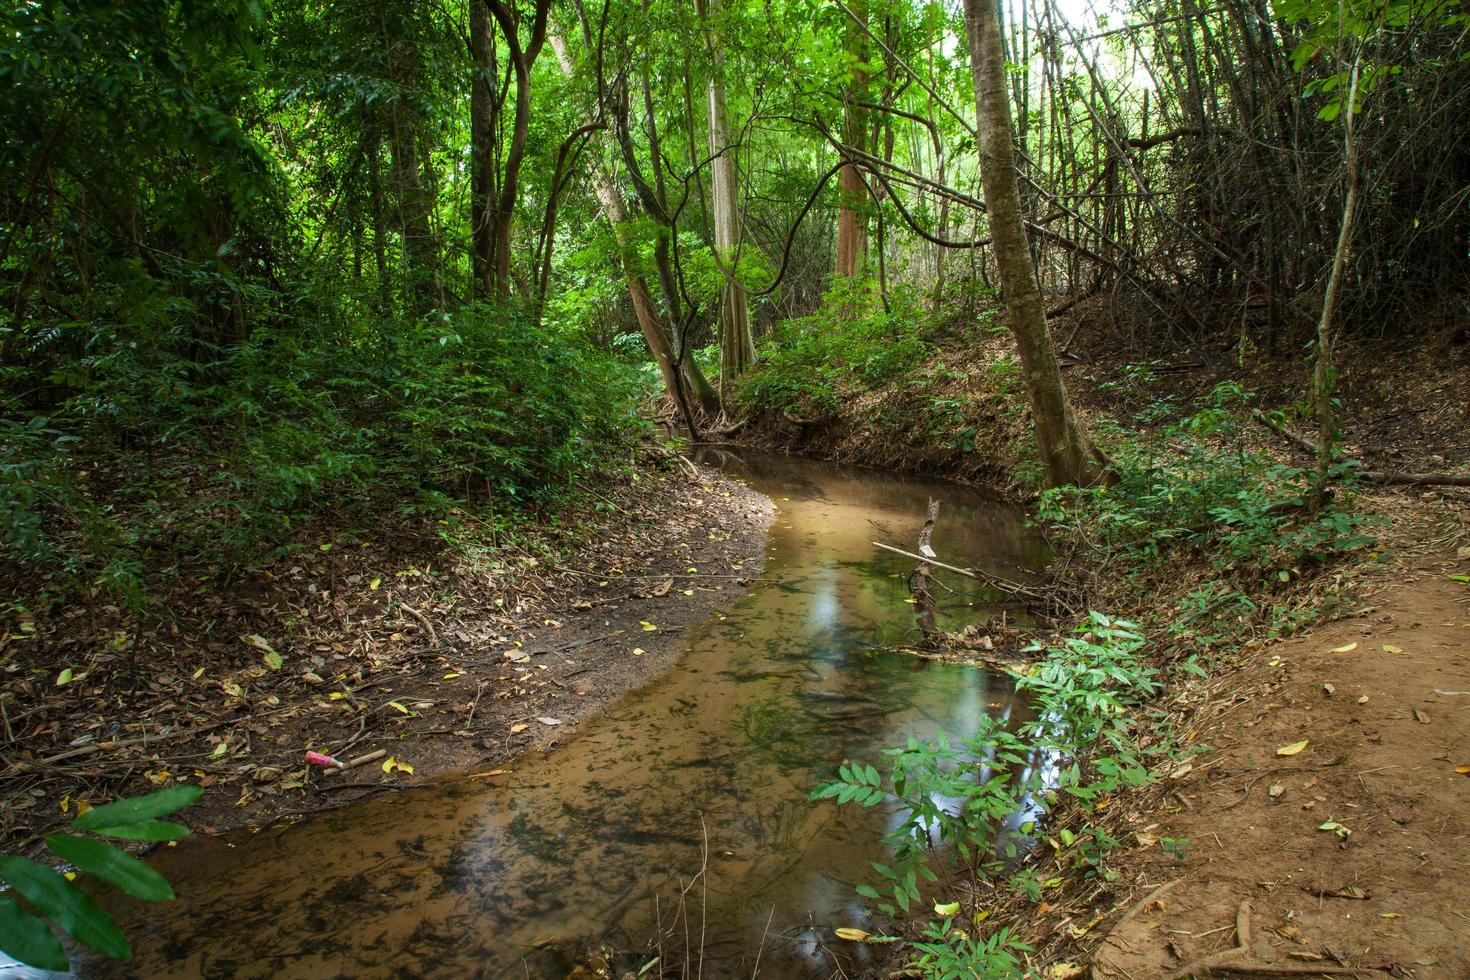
737 345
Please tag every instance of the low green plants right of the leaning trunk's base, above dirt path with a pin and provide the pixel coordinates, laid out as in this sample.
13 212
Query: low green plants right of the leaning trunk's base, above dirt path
1194 484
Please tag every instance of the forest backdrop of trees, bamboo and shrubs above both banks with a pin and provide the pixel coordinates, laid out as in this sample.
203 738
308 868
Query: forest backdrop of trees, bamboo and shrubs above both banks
259 256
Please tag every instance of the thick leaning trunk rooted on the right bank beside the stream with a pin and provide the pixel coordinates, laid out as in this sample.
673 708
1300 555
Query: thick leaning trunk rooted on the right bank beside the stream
1066 452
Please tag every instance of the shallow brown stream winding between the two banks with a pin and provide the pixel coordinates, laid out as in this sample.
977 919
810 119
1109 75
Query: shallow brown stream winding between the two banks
708 766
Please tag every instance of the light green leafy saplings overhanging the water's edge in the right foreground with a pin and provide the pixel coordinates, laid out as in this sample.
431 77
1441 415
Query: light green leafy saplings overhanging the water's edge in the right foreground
958 803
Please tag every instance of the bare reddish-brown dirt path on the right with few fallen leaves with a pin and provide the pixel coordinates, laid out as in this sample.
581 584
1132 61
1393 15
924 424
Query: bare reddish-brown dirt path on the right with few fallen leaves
1349 853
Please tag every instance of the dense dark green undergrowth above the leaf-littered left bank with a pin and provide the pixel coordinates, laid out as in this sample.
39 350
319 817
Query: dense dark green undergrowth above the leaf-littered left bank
161 455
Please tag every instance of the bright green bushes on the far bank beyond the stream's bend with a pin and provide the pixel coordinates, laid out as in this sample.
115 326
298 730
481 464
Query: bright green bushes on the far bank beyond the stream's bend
811 365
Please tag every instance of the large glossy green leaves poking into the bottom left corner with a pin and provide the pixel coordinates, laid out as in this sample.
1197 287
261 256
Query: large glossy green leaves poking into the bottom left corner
52 901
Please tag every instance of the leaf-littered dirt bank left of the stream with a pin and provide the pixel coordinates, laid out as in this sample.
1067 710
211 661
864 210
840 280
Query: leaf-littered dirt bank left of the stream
439 652
